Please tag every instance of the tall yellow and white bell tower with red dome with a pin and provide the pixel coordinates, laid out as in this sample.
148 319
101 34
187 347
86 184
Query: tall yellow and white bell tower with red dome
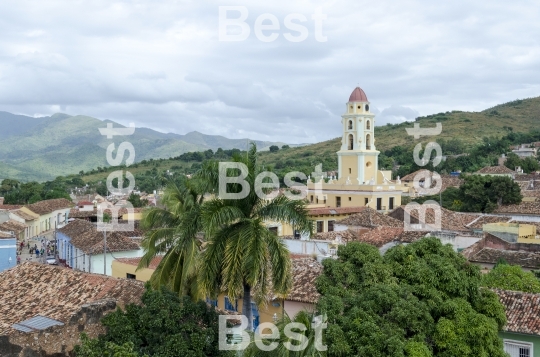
358 157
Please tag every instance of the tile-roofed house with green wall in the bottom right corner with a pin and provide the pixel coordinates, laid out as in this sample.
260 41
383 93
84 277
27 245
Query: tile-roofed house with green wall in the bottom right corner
521 335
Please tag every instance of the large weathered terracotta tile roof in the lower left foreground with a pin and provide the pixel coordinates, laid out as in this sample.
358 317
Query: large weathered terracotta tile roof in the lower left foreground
30 289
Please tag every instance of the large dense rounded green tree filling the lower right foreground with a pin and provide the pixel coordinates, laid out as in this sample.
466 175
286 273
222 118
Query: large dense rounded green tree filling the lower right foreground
422 299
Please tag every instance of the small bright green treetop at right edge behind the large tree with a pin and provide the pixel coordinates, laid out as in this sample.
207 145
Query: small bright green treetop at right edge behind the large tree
511 277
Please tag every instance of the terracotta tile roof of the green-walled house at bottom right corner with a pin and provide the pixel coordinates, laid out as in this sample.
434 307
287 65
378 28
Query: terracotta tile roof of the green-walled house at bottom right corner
522 311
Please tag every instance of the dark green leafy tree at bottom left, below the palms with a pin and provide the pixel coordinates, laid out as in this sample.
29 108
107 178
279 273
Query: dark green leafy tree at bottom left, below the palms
165 325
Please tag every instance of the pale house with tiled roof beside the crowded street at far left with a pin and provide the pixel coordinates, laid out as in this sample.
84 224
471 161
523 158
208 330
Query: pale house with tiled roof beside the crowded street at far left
53 214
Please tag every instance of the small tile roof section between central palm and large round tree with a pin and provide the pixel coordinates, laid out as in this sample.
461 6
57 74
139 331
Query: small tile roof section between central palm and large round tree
305 272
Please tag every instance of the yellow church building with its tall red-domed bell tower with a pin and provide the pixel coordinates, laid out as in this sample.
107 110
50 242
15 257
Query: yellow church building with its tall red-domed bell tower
359 181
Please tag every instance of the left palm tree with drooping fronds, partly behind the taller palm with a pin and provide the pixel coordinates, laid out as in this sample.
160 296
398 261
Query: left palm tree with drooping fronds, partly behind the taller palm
174 231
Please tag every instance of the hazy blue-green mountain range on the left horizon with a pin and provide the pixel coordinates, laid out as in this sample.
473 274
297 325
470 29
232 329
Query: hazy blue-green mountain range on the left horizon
46 147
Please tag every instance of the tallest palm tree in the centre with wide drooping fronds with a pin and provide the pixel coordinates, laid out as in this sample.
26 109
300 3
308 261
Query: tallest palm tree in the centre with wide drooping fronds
242 255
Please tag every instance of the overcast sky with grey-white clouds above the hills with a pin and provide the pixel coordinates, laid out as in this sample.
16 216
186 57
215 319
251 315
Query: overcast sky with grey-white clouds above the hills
161 64
